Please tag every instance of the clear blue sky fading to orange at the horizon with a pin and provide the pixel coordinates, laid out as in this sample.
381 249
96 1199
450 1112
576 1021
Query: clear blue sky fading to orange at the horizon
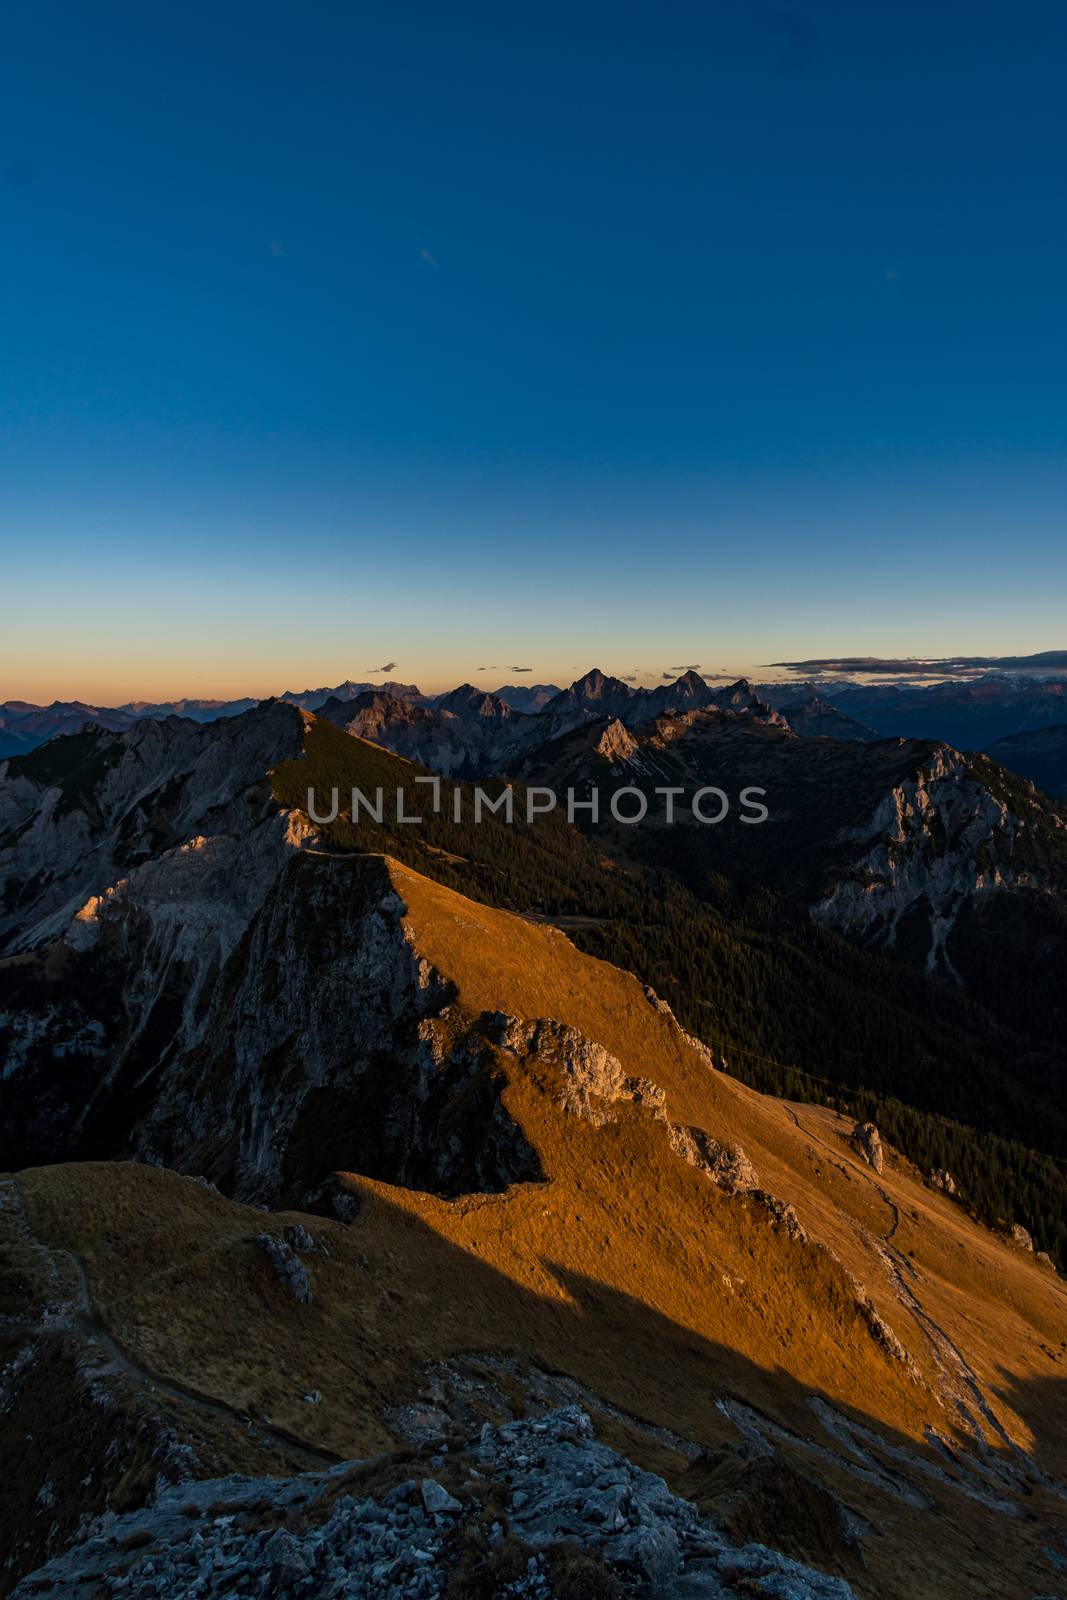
548 337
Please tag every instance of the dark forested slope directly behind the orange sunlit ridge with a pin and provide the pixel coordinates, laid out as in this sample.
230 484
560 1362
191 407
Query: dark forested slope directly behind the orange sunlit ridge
794 1009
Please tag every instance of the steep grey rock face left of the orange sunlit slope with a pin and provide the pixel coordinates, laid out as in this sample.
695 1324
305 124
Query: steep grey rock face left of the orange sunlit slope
231 1006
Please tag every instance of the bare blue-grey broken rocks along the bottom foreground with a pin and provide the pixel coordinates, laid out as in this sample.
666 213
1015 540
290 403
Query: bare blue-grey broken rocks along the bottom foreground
532 1510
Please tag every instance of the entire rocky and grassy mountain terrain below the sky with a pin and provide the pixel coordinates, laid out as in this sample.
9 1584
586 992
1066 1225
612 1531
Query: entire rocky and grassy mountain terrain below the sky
585 1209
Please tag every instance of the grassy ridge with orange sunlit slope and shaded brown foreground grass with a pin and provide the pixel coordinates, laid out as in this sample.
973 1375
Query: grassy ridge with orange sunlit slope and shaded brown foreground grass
764 1223
